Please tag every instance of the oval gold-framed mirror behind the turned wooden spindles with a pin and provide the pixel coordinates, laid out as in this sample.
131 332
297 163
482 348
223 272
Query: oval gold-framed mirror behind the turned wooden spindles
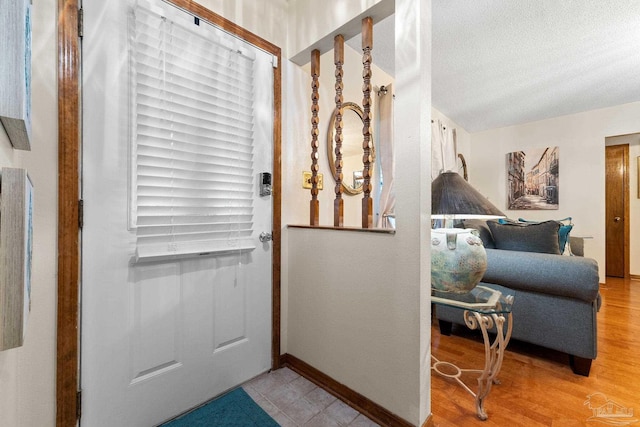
352 152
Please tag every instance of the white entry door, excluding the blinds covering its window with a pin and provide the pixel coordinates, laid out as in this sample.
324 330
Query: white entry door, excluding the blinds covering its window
162 335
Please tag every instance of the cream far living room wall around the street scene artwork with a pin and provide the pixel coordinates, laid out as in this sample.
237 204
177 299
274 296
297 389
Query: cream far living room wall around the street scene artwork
581 139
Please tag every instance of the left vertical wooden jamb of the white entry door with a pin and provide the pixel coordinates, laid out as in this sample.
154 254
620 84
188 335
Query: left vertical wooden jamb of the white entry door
67 375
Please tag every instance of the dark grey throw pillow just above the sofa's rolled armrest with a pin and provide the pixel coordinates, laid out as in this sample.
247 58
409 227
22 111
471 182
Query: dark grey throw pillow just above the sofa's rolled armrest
527 237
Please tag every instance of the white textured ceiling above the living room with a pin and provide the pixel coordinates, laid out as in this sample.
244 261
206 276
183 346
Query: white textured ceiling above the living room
502 62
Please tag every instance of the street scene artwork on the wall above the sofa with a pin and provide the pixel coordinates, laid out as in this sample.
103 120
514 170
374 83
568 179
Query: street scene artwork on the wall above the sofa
532 179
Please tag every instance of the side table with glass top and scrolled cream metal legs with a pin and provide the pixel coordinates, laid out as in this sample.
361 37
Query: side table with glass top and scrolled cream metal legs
484 308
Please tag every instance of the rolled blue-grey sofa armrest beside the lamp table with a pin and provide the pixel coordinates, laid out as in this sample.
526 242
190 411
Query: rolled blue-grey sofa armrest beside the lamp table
572 277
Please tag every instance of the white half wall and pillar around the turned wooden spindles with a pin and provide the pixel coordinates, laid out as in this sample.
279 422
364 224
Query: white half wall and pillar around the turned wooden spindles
358 305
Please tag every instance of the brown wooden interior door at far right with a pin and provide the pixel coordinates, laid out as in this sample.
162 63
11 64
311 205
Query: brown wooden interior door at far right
617 193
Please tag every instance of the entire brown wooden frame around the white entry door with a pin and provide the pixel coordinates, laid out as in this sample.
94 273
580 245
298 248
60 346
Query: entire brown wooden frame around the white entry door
69 149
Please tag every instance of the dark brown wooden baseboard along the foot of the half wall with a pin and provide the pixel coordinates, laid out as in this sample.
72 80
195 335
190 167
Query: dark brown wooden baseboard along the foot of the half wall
354 399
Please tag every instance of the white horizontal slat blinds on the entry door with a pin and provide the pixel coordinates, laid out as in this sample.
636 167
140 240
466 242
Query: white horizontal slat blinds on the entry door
193 179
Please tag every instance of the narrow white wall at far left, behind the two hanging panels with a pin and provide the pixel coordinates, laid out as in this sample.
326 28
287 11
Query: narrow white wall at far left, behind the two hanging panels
27 373
